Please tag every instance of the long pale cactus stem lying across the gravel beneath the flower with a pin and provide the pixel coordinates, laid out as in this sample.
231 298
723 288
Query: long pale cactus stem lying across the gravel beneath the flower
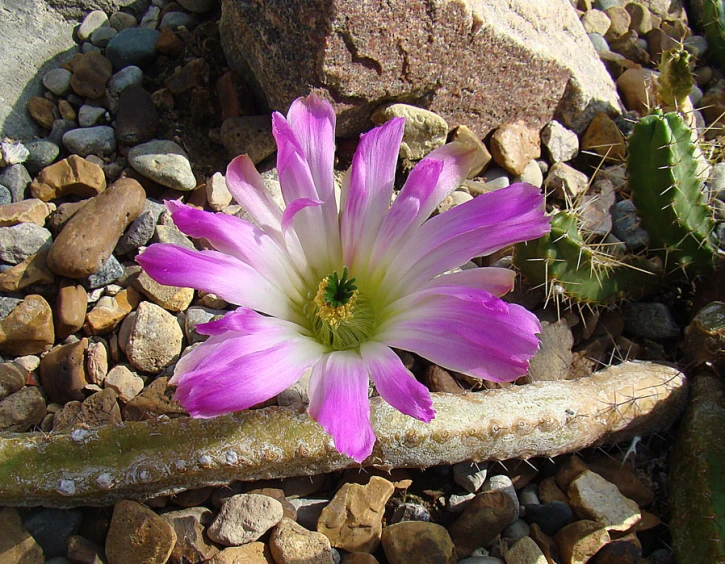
143 459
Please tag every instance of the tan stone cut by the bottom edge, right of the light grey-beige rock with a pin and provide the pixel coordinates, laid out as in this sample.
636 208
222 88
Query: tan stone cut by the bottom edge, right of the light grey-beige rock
291 542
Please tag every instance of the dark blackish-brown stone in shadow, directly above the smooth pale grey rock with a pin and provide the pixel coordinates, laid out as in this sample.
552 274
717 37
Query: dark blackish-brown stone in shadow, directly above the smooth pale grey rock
137 120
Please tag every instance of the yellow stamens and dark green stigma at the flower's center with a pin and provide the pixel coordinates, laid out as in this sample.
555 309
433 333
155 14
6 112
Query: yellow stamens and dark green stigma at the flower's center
340 315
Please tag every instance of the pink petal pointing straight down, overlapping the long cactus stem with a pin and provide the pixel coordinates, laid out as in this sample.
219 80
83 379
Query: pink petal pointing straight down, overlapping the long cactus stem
339 402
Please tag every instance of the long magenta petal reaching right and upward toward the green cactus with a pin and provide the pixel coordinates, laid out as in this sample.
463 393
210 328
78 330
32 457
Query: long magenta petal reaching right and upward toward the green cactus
478 227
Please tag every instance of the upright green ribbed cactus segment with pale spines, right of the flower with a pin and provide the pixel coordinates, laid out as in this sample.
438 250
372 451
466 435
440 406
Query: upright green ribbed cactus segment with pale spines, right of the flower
666 189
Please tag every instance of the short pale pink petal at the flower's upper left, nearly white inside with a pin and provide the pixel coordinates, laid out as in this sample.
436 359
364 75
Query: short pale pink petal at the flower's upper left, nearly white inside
248 189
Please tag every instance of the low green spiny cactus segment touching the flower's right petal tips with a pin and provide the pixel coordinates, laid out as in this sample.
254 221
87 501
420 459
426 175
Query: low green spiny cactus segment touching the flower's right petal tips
568 267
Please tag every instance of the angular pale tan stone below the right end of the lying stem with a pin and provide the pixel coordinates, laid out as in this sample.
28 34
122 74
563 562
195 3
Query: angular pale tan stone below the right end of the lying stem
592 497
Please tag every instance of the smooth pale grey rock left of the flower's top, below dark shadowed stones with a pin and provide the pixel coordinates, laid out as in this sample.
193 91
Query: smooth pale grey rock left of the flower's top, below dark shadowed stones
164 162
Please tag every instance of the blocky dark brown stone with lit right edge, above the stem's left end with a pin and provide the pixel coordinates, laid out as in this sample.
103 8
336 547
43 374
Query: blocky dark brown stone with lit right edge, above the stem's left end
63 372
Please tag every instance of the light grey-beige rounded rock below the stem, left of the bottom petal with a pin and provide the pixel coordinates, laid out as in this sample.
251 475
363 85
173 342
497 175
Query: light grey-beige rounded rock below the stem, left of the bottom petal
245 518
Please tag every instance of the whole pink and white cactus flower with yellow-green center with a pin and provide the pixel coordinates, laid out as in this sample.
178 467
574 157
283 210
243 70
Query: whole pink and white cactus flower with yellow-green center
330 287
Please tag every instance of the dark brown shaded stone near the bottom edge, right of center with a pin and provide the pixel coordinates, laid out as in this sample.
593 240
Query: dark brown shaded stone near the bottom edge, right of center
485 516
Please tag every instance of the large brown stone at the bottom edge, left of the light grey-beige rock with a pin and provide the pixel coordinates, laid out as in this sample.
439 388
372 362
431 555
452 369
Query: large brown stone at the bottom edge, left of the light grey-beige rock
137 534
